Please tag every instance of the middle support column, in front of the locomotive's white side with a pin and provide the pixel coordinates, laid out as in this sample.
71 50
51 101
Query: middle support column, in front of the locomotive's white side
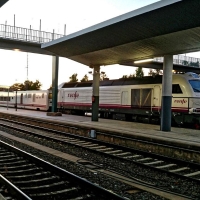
95 93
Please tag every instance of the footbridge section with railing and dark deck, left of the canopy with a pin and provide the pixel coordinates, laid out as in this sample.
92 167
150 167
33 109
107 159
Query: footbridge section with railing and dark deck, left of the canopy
25 39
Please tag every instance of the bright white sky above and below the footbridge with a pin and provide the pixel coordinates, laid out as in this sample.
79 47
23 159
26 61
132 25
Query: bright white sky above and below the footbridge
54 15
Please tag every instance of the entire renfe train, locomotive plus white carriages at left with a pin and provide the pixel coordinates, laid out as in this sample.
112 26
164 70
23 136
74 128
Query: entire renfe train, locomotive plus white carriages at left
135 99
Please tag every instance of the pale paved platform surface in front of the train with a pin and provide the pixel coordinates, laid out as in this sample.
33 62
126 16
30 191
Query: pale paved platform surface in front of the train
184 137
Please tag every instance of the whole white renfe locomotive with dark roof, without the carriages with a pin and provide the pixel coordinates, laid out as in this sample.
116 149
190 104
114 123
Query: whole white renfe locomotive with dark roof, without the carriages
135 100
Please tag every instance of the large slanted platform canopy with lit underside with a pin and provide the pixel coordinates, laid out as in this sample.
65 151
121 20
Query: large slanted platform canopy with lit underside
167 27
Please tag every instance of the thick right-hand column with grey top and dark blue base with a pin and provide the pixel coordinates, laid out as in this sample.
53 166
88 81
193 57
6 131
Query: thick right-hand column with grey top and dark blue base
166 93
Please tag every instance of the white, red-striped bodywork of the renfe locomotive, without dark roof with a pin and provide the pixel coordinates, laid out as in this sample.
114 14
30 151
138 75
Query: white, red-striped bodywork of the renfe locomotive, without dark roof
185 99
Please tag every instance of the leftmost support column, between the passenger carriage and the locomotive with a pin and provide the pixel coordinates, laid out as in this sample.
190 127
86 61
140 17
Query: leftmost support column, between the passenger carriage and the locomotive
55 65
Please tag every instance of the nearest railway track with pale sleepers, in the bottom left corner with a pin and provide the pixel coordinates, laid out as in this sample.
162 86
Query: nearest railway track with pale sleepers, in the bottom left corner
34 178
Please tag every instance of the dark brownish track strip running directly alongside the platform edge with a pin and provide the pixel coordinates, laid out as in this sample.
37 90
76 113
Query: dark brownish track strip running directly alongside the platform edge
168 147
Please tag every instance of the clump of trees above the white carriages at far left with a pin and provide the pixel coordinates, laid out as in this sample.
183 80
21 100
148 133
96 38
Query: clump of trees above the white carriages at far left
27 85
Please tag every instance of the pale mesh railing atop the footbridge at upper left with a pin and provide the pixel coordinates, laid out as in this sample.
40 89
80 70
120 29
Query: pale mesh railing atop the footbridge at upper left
27 35
